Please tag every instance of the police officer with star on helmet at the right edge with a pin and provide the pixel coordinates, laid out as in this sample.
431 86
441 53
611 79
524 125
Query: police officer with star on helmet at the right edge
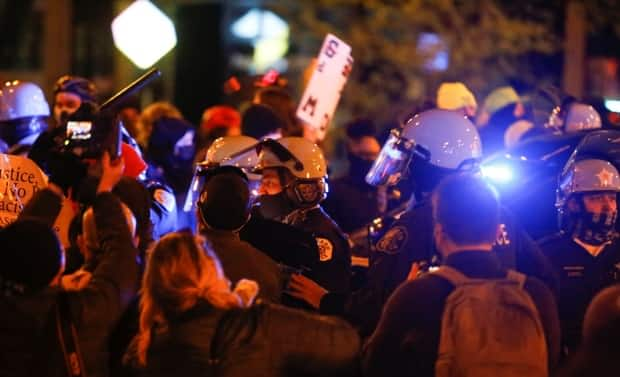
586 252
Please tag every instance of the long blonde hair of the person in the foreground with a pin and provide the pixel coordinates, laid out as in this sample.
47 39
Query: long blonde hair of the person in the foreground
181 270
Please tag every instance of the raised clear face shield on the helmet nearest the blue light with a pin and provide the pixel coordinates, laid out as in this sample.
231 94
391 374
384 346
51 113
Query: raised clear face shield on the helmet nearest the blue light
392 162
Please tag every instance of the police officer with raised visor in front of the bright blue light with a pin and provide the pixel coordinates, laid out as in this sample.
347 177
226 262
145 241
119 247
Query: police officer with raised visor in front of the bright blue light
431 145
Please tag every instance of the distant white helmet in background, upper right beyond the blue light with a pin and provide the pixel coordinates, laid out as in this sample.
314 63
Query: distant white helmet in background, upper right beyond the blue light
574 117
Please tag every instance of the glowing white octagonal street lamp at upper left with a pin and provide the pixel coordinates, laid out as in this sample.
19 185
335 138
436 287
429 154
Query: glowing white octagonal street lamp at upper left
143 33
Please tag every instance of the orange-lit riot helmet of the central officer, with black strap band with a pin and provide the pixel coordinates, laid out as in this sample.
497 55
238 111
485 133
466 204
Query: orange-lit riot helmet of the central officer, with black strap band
304 161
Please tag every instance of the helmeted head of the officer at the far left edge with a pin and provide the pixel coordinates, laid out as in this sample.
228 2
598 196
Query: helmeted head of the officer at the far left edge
23 115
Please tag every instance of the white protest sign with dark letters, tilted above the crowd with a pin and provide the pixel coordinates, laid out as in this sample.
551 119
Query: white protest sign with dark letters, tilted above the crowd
319 101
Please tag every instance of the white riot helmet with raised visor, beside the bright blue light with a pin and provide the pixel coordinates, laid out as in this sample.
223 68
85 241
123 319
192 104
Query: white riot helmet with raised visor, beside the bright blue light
443 138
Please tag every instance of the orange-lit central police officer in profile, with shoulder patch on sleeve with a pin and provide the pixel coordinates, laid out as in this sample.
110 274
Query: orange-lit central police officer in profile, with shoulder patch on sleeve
293 184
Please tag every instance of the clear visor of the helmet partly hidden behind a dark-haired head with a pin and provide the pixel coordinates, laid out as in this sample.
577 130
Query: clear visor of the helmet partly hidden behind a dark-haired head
245 160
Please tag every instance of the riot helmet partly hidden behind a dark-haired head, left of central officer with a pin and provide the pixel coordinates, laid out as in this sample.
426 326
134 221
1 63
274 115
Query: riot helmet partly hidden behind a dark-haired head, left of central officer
236 151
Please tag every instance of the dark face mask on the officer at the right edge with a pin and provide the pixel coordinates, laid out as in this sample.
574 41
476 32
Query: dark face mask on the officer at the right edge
594 229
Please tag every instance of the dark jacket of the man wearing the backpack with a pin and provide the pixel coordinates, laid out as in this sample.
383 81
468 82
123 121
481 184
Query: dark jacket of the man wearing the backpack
406 340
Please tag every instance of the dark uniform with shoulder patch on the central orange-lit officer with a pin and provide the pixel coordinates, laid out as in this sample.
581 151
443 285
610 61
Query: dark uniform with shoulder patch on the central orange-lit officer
333 267
